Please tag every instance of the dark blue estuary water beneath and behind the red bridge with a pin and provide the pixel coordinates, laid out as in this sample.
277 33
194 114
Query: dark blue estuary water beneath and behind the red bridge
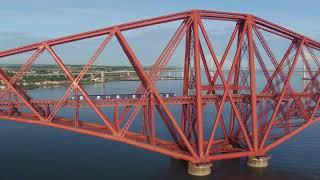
35 152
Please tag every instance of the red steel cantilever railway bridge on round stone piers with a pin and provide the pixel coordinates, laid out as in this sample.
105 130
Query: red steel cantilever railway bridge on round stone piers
259 119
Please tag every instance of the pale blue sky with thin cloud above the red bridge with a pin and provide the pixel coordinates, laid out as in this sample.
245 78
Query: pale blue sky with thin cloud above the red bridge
24 22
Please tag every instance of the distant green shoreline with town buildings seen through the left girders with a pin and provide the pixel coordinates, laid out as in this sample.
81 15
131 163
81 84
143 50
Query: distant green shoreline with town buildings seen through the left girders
52 75
